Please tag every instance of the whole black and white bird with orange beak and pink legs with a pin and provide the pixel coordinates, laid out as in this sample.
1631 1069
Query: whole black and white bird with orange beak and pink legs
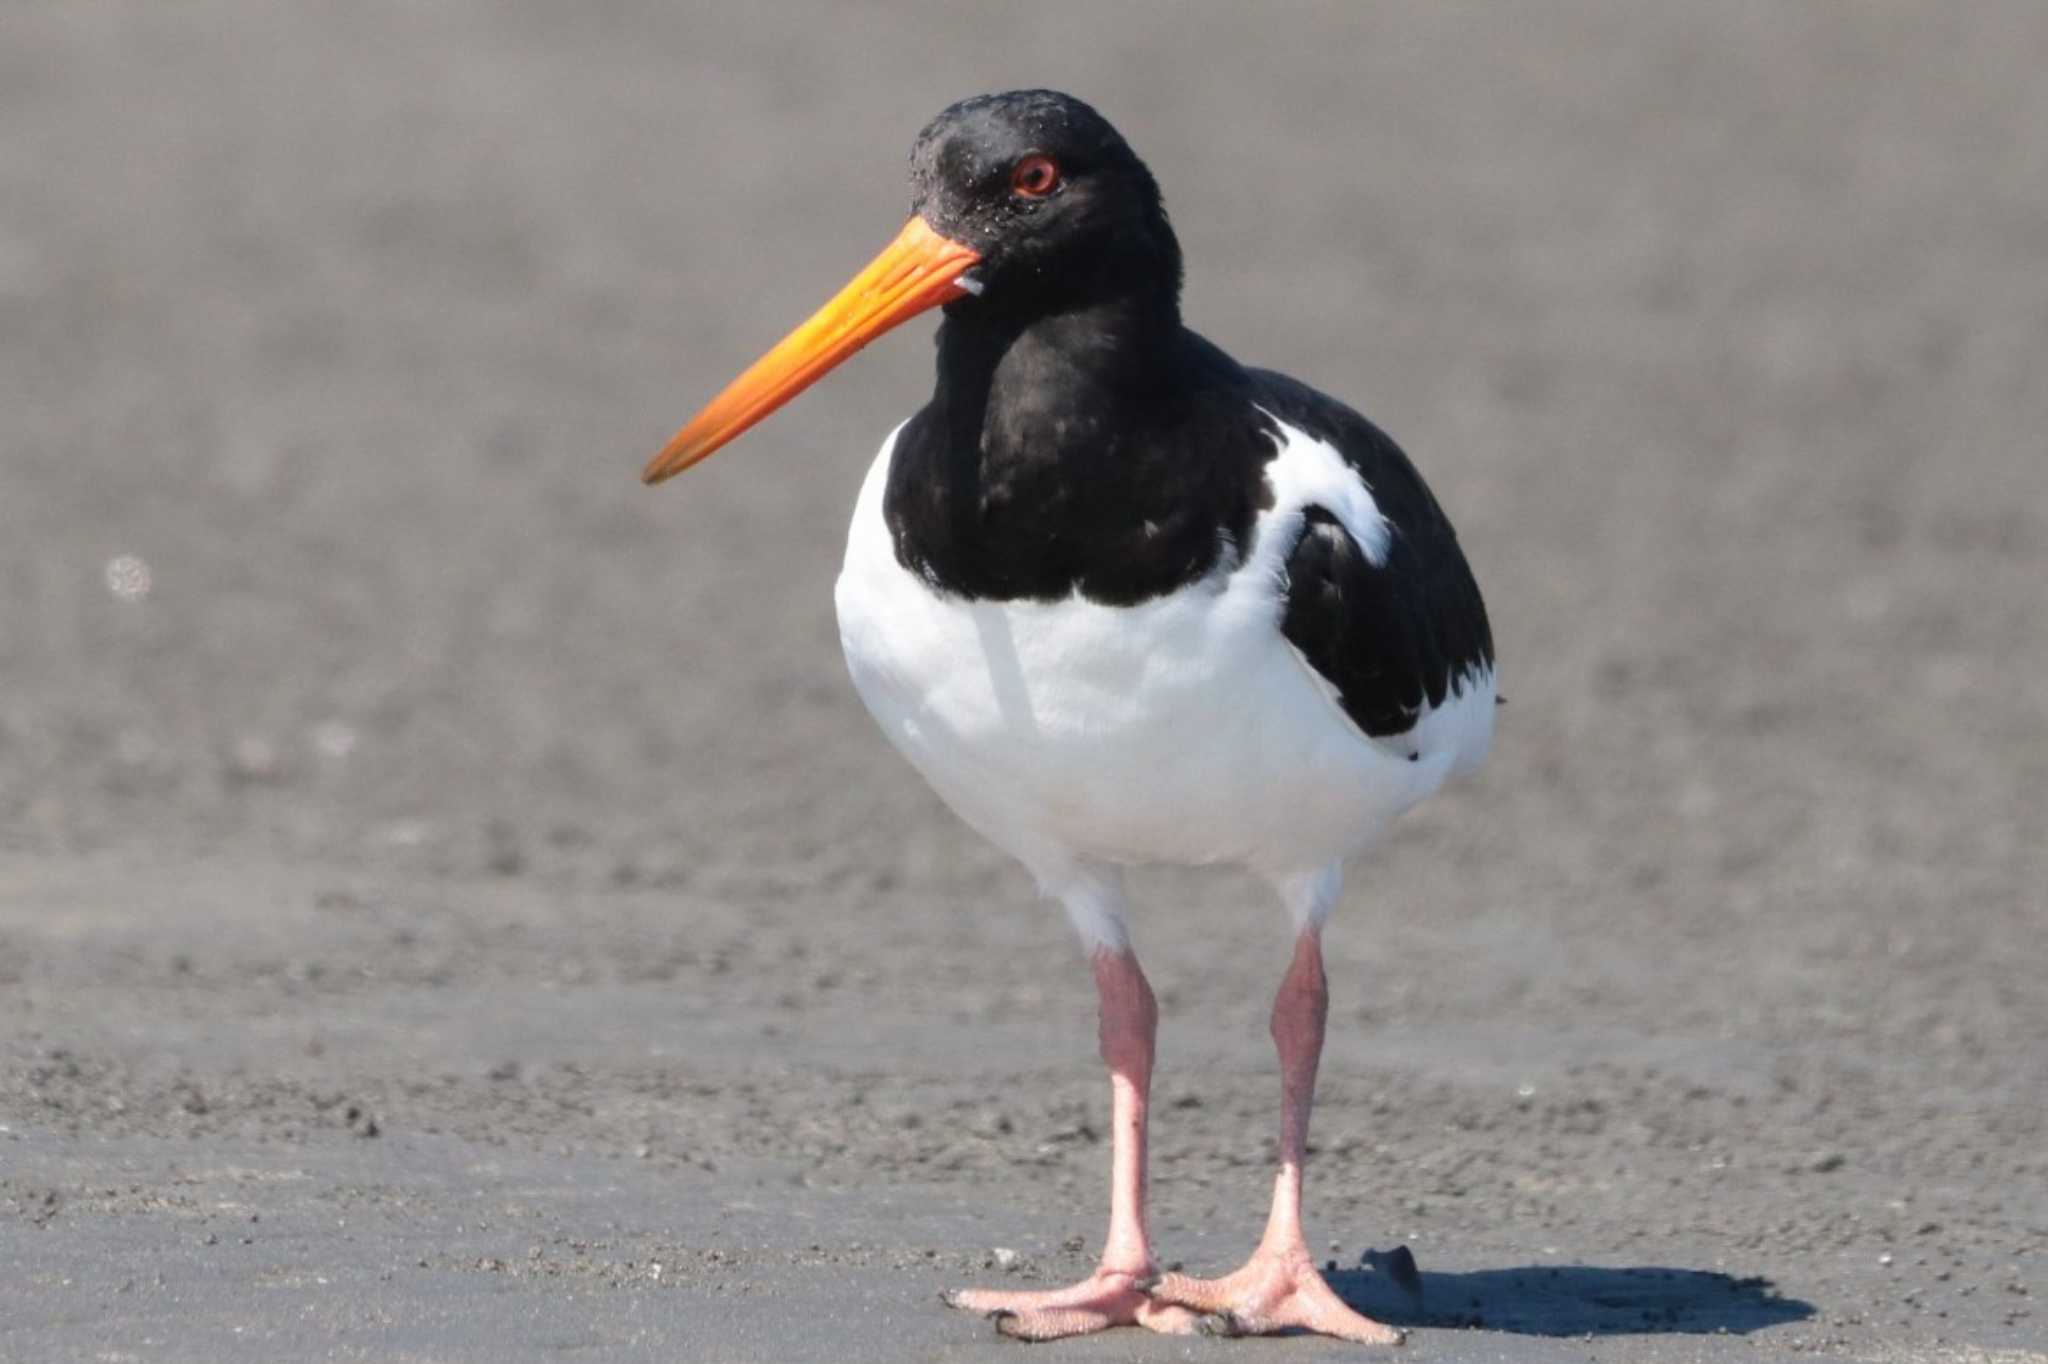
1127 601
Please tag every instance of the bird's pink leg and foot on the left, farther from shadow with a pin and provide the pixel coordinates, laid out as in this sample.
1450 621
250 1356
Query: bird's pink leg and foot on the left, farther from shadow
1117 1291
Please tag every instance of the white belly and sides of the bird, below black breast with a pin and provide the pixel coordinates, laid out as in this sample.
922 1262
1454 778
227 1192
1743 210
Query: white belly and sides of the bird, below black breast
1183 730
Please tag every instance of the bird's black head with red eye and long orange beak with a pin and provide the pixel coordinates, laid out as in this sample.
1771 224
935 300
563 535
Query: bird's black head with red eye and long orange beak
1023 206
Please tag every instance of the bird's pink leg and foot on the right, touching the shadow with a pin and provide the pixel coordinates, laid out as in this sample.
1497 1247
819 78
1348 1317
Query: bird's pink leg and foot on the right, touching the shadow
1279 1287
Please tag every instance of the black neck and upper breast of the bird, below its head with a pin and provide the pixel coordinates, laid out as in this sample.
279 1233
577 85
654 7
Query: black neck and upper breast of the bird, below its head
1078 450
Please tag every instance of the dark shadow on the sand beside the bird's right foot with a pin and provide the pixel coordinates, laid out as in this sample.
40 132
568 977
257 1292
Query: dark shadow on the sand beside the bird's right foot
1566 1299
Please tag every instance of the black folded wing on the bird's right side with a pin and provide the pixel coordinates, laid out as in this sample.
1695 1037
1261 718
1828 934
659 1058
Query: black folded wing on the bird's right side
1392 638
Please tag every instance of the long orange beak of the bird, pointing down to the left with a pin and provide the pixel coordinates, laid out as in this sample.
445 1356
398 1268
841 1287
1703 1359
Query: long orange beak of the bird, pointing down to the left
919 271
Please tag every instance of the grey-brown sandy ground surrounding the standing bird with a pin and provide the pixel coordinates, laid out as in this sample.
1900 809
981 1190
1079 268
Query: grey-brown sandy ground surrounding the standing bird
454 906
